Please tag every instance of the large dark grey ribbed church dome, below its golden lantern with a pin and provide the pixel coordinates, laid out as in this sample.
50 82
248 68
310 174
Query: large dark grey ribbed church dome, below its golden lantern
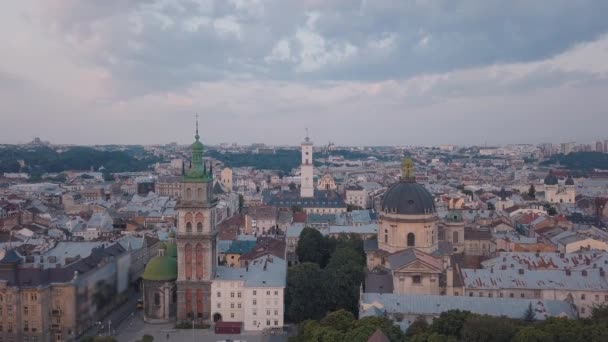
408 198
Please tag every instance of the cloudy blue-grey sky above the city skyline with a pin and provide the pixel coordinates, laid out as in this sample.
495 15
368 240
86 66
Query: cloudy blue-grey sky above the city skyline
366 72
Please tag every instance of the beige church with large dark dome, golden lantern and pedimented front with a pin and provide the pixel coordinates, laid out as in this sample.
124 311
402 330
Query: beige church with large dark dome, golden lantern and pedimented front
407 249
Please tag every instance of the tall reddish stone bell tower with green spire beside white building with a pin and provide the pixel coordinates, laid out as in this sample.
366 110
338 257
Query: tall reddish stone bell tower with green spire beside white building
196 250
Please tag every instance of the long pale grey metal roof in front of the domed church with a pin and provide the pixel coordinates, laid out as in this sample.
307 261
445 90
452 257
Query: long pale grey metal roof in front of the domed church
431 305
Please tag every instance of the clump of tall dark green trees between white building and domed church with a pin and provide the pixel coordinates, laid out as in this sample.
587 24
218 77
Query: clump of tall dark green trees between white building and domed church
328 277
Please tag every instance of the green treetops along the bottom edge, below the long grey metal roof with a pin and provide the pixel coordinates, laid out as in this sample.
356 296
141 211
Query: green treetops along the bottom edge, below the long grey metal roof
456 326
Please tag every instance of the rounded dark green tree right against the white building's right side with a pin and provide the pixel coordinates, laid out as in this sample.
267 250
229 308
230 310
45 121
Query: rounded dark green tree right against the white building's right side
305 299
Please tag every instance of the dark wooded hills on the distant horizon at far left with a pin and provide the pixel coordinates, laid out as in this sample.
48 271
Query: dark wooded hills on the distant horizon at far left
40 160
